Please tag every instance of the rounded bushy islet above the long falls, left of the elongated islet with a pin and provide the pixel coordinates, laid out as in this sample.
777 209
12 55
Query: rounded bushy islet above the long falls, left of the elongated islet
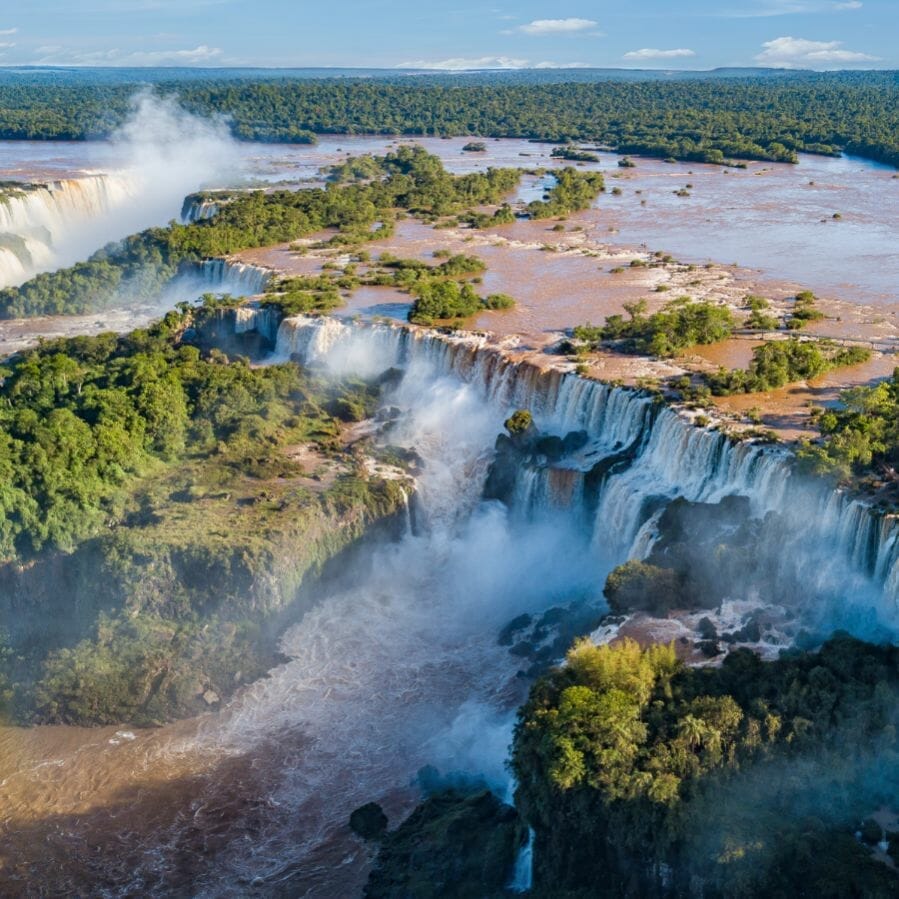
680 324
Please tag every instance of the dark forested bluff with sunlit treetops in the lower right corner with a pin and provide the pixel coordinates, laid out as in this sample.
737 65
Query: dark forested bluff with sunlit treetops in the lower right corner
642 776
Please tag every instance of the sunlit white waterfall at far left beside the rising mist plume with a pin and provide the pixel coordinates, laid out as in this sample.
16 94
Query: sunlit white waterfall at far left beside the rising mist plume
35 219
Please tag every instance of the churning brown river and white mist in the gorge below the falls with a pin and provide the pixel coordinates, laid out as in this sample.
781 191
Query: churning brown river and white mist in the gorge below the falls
396 669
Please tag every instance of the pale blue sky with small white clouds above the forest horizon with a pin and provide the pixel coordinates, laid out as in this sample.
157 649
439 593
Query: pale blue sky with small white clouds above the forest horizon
454 34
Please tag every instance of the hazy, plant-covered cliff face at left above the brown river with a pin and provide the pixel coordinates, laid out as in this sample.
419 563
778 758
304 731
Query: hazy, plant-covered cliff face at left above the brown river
149 623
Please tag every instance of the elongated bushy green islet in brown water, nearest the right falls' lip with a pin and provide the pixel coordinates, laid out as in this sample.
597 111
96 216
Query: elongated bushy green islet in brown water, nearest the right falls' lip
777 363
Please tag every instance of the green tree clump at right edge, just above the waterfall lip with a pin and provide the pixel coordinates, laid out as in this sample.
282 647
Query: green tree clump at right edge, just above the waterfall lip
861 436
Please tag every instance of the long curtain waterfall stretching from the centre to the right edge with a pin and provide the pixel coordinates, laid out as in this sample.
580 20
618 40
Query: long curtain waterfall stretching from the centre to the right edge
640 455
